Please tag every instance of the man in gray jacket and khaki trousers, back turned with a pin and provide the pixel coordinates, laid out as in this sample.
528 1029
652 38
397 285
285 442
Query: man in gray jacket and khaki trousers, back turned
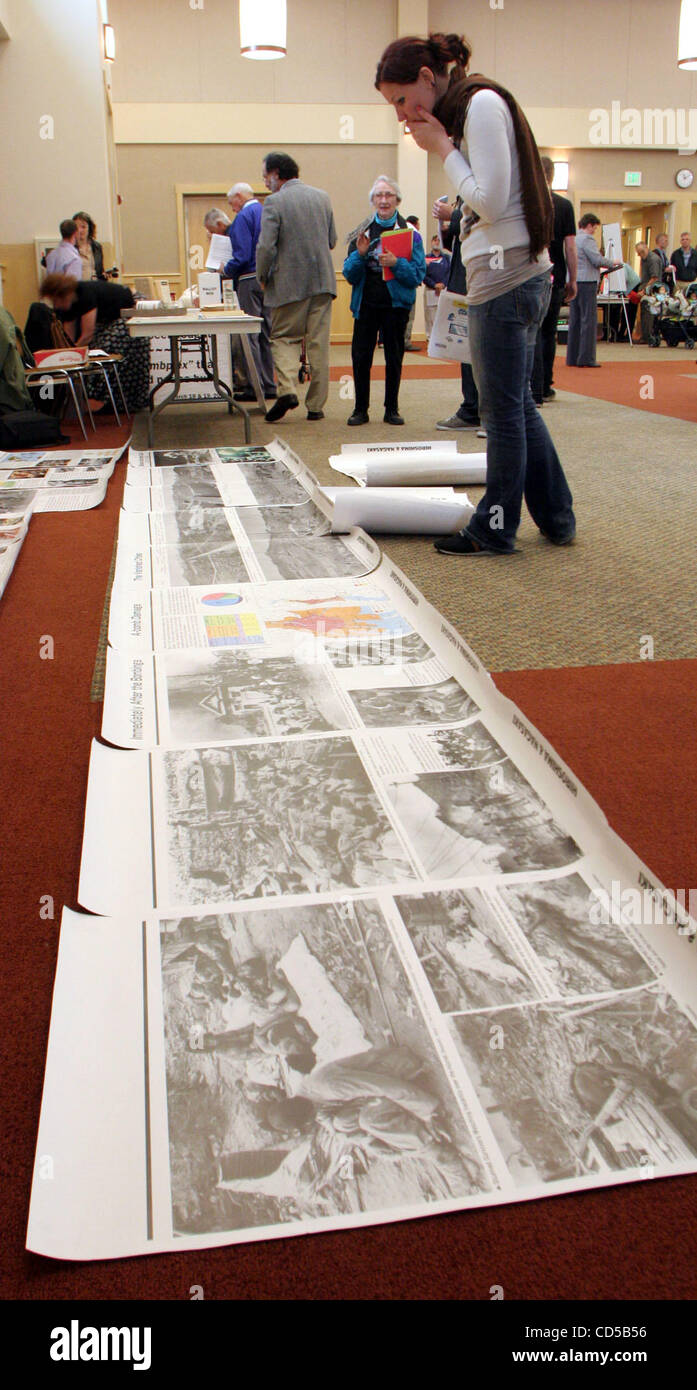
297 275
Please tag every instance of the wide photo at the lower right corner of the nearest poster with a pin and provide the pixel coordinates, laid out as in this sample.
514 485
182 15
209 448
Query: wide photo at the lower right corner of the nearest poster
588 1089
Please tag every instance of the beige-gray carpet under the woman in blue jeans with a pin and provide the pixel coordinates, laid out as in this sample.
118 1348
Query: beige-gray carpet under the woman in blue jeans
631 575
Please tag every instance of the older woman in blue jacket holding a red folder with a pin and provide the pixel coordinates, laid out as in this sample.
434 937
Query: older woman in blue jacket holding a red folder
380 306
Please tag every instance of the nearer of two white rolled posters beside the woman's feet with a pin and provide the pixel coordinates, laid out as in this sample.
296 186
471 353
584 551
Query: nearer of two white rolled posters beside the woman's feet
399 515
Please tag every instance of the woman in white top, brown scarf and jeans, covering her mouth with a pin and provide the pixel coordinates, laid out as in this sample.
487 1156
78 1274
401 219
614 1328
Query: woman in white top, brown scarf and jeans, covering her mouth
492 159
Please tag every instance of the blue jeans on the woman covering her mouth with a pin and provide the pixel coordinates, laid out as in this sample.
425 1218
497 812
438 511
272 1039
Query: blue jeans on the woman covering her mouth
521 455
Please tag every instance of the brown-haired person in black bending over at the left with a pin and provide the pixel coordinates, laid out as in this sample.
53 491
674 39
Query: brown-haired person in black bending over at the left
91 312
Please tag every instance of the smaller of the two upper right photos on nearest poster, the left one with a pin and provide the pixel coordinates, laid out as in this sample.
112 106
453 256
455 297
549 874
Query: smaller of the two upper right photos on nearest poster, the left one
465 954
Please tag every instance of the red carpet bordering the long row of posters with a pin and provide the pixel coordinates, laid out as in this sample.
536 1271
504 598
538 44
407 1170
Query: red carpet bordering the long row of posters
624 730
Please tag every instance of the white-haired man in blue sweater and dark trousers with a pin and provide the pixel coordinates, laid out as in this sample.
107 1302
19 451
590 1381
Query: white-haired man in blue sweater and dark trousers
241 270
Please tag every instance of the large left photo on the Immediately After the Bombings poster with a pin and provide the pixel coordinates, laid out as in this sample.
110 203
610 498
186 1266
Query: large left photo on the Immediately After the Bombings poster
236 696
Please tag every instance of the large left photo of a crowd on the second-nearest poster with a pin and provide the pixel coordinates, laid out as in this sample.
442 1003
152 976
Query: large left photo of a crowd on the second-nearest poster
273 819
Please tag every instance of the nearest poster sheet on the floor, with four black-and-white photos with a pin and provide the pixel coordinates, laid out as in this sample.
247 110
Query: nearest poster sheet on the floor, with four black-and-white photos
291 1067
